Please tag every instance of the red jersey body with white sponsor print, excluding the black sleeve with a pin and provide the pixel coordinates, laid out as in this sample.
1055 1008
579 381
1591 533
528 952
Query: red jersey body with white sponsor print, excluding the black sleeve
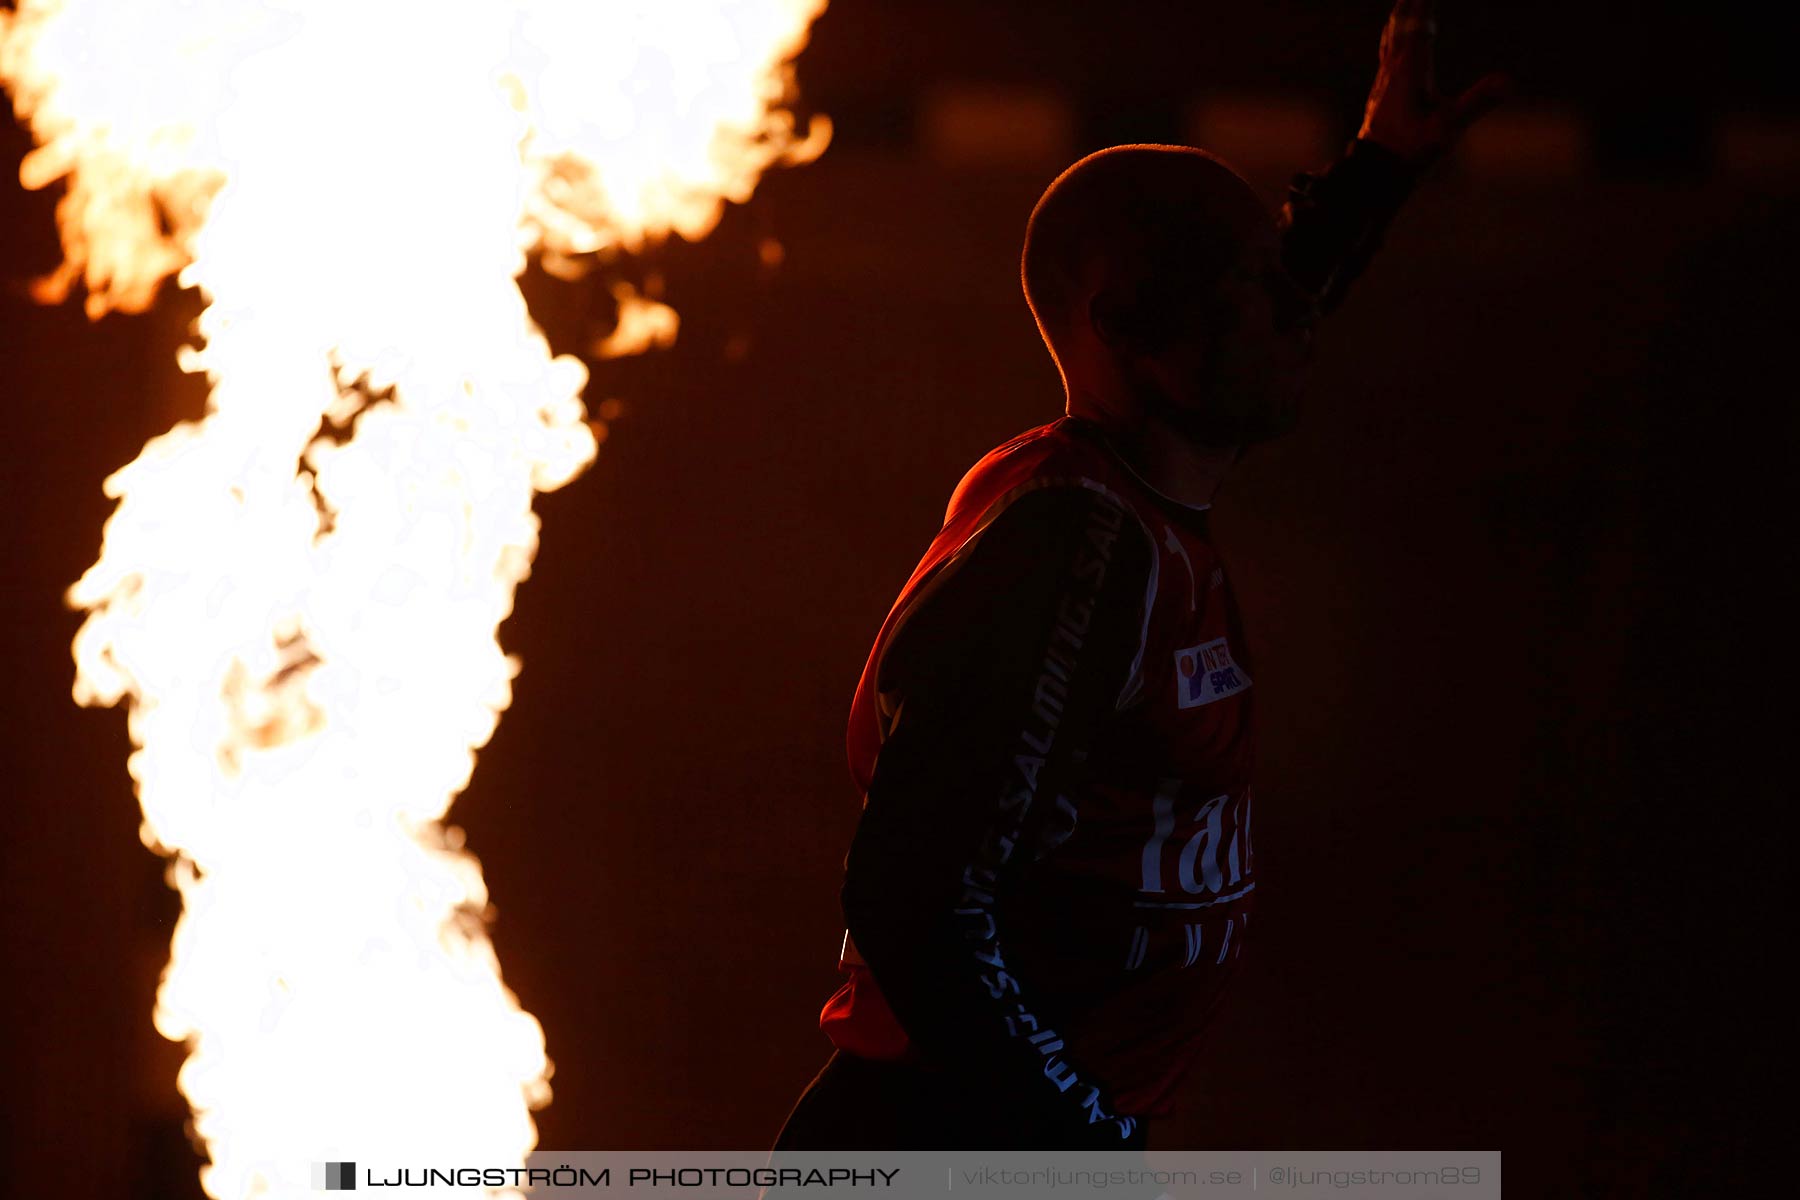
1137 899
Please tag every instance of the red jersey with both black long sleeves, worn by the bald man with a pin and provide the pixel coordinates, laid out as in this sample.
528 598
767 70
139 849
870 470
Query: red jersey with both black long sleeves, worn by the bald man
1054 873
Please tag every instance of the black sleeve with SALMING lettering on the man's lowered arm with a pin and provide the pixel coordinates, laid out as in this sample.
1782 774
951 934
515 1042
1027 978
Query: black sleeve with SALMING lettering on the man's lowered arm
996 683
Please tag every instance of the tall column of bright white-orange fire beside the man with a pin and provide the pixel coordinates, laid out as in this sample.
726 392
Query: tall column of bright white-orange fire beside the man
300 595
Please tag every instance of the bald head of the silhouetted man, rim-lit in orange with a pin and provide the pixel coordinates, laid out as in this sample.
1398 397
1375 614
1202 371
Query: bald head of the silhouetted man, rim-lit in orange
1147 229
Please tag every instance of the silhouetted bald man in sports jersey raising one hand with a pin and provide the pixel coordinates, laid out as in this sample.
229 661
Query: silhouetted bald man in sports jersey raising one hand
1054 873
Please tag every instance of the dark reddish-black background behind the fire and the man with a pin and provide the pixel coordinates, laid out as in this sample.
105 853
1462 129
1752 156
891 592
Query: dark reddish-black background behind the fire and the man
1518 591
